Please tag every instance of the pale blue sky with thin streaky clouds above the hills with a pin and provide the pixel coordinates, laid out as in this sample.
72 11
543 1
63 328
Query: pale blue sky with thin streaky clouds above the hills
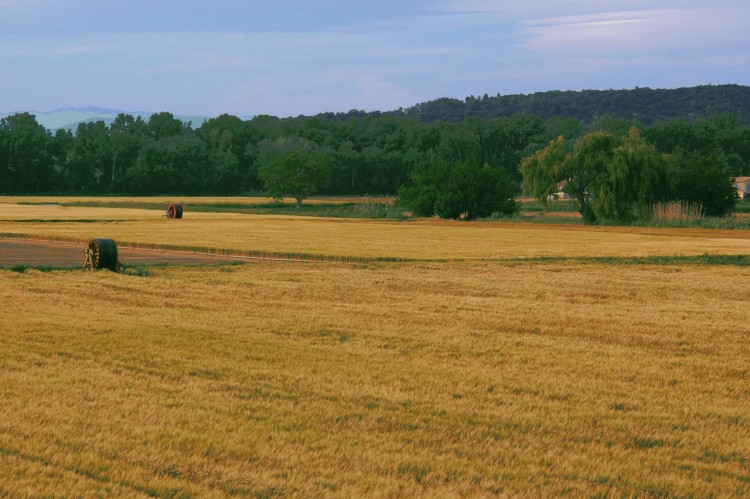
294 57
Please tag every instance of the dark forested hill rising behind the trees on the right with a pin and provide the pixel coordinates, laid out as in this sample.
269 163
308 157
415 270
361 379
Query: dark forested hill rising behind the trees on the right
643 104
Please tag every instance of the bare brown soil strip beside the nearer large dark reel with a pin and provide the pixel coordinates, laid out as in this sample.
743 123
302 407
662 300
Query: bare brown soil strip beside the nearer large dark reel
63 254
